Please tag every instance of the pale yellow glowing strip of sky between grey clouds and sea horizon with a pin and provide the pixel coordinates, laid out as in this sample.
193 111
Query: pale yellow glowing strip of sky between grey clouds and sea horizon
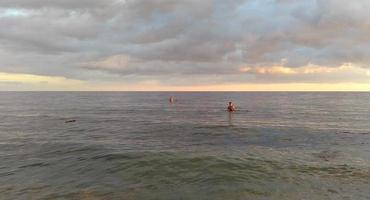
26 82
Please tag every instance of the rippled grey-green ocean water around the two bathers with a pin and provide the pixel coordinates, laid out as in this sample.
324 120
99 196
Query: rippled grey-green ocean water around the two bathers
136 145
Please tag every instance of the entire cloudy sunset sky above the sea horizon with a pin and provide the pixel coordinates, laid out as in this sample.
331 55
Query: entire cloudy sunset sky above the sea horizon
185 45
